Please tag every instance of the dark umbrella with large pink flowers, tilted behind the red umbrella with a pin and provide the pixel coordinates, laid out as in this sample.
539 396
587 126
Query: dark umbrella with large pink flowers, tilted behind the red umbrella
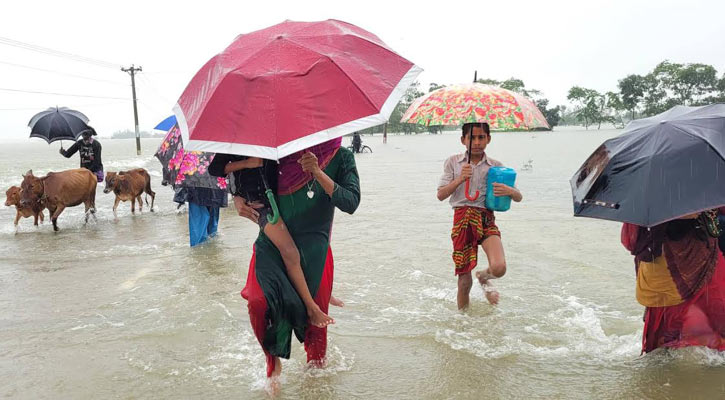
182 168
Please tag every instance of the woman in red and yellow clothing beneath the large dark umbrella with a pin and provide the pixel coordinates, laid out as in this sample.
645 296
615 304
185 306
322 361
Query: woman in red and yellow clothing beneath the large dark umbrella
680 281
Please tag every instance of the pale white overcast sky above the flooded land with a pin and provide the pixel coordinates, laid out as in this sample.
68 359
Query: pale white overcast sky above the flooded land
550 45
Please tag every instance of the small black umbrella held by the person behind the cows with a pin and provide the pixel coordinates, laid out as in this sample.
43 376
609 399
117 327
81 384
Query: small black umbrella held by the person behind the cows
58 123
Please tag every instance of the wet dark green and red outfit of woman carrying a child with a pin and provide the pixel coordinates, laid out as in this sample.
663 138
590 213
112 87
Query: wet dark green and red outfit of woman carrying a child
275 308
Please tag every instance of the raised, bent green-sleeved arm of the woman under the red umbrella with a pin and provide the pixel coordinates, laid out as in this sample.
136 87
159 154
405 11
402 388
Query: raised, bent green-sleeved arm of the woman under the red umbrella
344 194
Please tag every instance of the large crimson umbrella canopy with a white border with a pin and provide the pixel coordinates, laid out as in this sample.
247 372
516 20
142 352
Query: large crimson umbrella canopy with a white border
291 86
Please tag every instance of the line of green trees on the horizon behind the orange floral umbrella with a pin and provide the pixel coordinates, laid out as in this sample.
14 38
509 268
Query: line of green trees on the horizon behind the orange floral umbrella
637 96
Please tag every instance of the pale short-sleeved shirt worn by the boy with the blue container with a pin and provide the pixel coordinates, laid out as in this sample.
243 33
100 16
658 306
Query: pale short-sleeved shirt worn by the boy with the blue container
452 169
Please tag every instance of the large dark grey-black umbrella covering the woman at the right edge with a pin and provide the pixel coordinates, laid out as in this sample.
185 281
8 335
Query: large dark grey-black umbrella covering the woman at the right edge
660 168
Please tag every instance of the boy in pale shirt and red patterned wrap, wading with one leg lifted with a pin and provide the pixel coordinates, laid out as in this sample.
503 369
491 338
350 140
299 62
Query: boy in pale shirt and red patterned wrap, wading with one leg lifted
473 224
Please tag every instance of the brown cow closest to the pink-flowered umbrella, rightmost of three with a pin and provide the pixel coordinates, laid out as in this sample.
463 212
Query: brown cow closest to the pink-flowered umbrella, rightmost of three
129 185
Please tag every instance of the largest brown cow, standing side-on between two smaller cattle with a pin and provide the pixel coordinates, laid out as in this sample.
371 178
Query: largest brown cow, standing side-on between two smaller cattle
59 190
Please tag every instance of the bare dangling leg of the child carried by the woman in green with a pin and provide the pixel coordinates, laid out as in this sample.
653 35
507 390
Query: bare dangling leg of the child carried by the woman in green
280 237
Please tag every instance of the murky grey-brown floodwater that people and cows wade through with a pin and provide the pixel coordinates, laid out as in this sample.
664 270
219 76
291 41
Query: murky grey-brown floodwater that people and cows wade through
125 309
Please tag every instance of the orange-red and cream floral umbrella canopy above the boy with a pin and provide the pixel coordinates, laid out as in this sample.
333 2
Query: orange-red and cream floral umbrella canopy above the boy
474 102
